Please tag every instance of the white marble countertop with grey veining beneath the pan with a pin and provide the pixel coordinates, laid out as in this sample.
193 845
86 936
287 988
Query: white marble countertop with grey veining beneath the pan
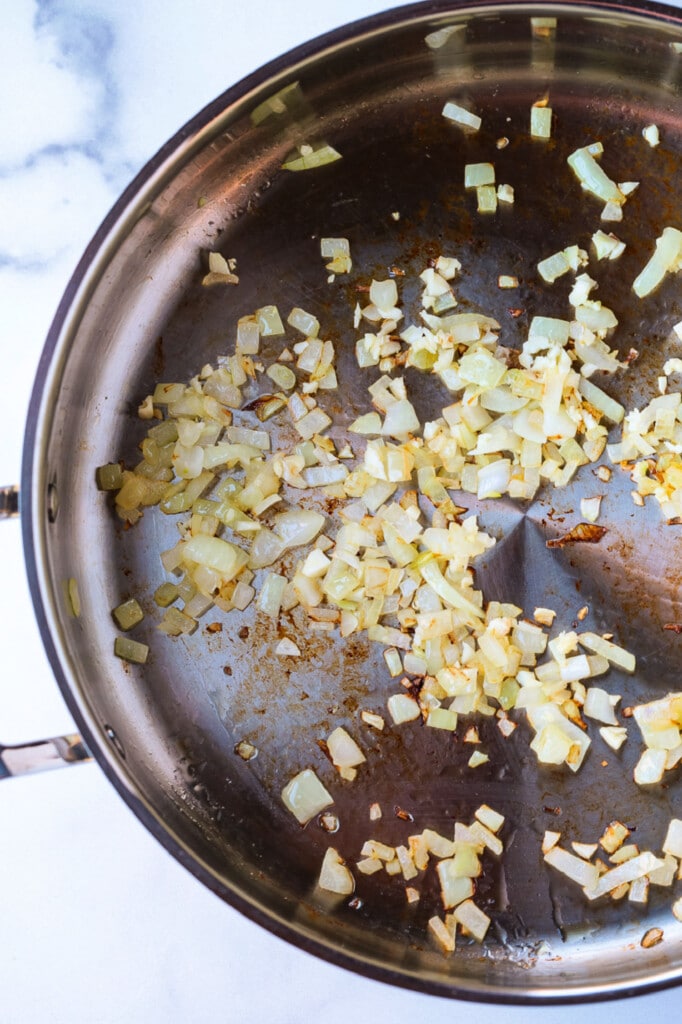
98 922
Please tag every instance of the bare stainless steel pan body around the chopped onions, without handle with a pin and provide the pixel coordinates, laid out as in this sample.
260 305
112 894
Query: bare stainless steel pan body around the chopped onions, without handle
136 312
